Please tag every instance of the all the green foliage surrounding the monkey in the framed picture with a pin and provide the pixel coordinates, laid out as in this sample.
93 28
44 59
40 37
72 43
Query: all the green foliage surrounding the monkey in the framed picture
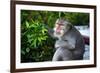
36 44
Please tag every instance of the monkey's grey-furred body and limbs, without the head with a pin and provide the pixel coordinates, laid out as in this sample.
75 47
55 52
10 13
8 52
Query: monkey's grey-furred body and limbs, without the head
70 46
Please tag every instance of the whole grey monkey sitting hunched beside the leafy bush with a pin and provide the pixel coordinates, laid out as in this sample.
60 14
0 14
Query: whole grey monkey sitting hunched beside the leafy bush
70 44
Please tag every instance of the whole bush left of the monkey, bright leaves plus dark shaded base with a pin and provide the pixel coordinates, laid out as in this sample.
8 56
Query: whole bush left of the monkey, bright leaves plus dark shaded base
34 46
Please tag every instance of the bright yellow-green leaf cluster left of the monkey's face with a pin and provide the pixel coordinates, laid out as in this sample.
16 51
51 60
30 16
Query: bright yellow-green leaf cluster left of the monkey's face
37 34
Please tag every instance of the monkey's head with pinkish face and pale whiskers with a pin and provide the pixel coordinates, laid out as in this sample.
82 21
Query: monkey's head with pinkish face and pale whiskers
61 27
